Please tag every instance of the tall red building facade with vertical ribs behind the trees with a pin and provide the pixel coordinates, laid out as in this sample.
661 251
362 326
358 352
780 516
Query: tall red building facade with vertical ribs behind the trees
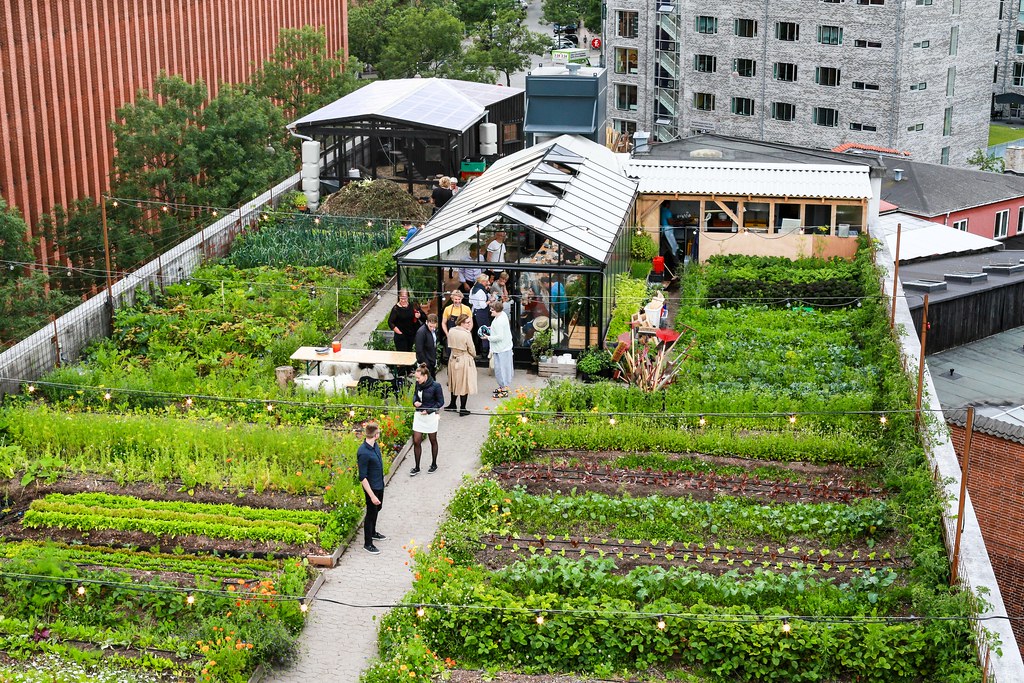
67 66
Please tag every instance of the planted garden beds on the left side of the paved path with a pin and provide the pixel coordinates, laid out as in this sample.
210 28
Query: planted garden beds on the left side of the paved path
163 498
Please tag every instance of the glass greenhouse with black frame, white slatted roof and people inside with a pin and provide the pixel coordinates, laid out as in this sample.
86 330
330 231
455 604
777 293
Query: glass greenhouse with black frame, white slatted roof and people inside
556 219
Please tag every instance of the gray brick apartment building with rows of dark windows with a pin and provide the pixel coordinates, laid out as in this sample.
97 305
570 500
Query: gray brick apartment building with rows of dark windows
909 75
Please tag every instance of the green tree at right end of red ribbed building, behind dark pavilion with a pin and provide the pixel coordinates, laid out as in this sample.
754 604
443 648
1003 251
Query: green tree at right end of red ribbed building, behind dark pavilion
301 76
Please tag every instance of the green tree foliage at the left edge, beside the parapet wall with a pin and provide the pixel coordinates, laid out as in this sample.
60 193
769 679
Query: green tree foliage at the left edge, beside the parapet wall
26 300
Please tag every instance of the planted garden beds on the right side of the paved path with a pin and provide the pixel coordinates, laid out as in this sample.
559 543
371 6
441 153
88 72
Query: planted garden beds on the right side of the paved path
769 517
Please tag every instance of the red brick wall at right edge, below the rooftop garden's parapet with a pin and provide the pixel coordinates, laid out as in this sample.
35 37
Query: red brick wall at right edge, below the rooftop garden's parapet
997 486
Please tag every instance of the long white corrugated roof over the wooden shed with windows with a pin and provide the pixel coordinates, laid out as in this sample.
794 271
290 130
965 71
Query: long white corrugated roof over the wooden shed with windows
697 178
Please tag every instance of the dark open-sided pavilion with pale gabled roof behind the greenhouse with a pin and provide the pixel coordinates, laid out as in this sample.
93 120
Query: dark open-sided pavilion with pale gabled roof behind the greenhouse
411 131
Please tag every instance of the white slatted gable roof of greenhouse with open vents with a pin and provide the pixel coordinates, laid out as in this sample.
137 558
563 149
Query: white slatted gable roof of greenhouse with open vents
571 190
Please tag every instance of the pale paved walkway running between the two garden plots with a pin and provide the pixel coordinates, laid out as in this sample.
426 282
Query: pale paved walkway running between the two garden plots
340 641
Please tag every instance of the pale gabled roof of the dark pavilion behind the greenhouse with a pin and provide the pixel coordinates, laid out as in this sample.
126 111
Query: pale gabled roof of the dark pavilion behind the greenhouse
436 103
